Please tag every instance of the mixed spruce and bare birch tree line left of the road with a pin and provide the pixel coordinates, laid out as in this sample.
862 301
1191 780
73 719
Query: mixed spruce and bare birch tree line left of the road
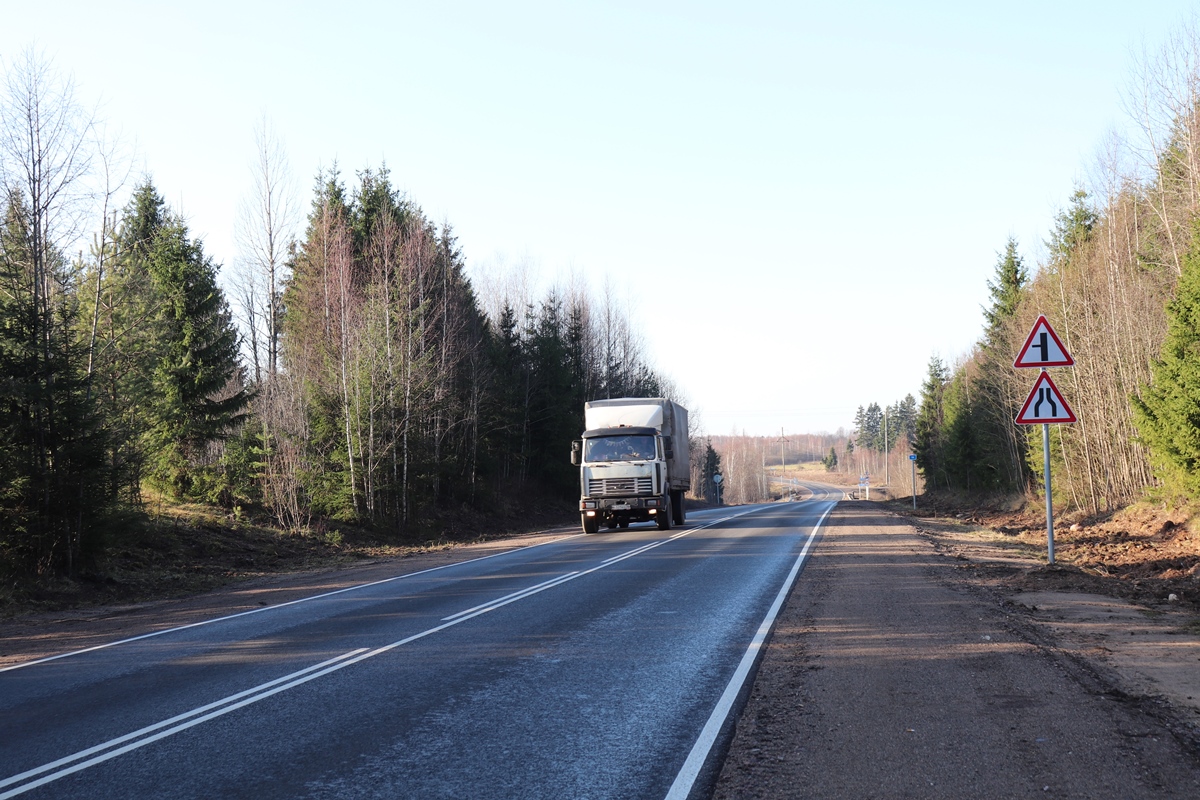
352 375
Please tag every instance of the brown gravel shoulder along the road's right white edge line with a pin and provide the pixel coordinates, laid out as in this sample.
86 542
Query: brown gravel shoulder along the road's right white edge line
910 664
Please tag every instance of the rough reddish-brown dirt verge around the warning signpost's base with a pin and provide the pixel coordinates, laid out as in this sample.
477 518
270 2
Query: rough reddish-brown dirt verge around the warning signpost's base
1124 592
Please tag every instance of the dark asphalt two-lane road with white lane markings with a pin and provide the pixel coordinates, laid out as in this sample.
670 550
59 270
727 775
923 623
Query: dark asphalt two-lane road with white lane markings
603 666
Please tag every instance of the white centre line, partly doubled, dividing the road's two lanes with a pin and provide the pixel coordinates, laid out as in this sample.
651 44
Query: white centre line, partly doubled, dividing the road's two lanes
248 697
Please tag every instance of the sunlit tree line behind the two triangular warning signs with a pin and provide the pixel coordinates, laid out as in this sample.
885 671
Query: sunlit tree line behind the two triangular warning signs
1119 285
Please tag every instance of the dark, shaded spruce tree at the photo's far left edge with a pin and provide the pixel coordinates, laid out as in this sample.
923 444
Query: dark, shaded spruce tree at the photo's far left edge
51 466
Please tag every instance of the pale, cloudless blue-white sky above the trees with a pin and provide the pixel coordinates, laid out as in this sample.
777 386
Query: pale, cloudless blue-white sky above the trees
801 202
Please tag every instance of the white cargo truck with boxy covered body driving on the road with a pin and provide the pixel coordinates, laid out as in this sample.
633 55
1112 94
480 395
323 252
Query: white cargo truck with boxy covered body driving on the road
635 464
